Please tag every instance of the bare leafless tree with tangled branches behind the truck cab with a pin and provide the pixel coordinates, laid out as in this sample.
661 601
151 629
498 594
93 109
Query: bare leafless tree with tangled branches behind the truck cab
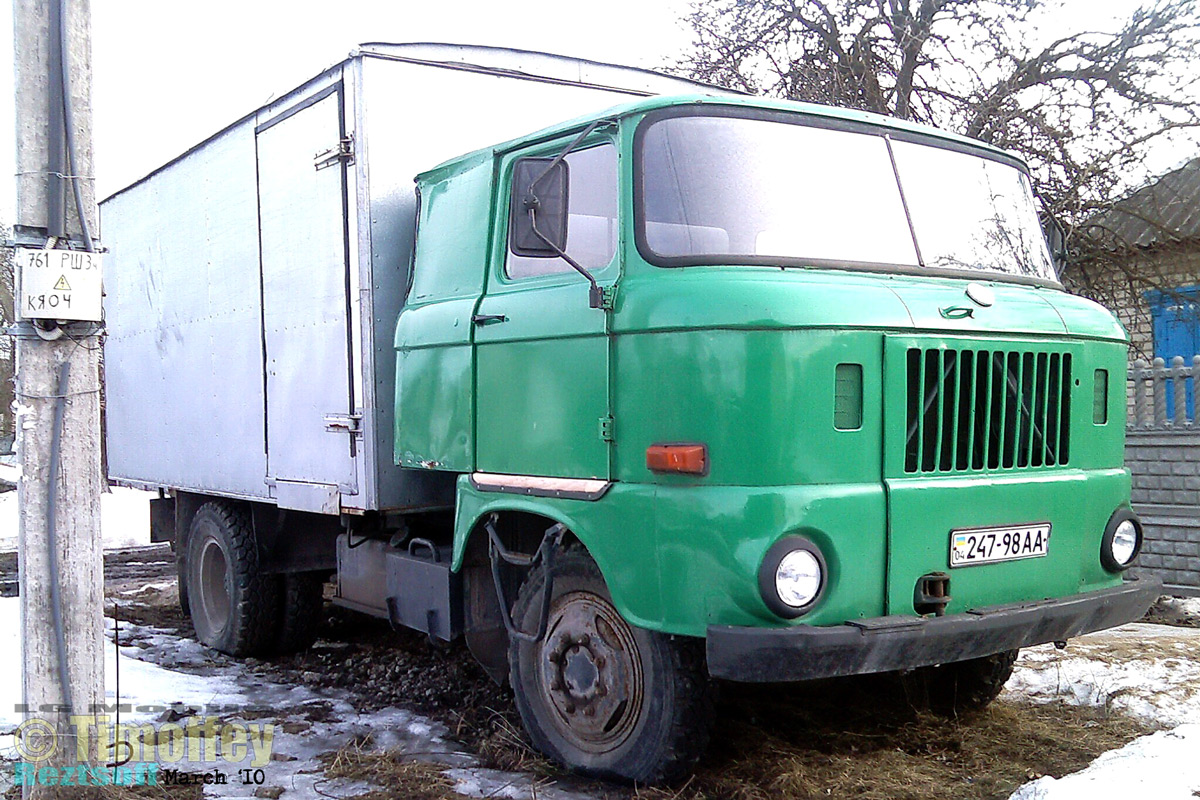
1083 109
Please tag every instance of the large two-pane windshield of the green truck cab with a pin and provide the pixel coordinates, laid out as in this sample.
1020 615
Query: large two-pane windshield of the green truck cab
729 190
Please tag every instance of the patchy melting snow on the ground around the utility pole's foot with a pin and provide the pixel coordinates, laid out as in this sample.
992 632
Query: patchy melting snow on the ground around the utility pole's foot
169 679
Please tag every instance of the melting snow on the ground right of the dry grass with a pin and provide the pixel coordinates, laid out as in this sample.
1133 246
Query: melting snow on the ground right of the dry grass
1147 671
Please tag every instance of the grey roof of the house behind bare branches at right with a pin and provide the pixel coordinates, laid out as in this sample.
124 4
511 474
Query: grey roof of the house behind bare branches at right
1163 213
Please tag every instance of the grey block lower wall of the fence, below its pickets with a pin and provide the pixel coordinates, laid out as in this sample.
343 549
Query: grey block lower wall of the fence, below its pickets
1166 470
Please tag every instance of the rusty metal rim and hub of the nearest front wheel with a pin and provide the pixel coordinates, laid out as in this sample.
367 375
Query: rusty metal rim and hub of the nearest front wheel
592 675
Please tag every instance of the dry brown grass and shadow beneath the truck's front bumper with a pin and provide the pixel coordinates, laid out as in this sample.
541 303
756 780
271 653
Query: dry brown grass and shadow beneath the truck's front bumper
782 743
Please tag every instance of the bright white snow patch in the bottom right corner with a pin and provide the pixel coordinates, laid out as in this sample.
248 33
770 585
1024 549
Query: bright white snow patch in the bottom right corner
1162 766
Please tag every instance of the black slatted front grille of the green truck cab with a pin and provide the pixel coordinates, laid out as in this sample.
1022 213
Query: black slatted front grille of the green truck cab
977 410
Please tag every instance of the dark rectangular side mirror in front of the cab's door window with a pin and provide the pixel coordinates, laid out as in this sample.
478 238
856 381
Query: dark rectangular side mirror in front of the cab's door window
539 185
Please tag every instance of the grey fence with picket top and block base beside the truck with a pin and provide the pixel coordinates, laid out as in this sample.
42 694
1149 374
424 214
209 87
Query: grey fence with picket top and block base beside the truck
1163 455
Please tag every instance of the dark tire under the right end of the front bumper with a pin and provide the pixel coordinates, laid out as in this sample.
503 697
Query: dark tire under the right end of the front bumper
963 688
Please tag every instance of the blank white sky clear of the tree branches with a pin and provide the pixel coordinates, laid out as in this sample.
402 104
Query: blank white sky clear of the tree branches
169 74
